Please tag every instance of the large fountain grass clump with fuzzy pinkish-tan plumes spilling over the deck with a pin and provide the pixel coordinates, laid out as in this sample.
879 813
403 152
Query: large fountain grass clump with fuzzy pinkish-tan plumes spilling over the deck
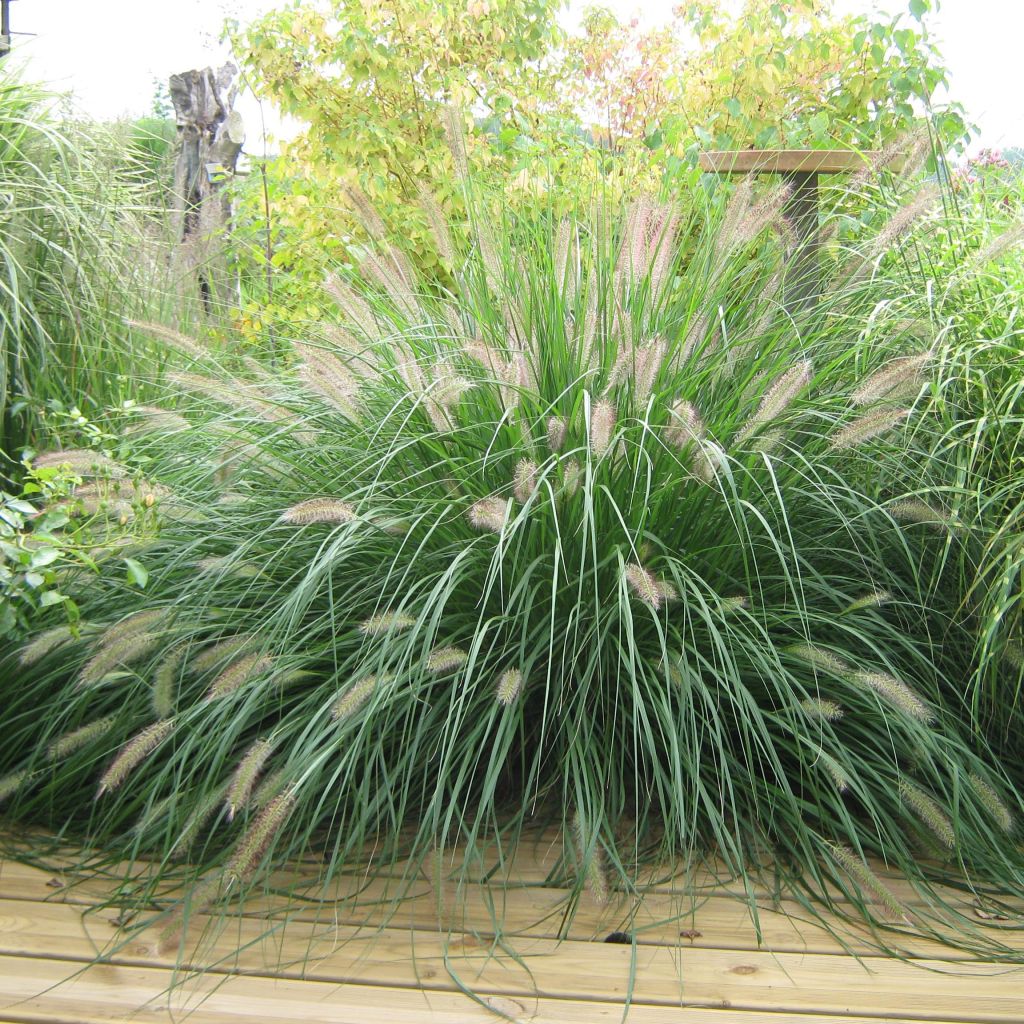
528 561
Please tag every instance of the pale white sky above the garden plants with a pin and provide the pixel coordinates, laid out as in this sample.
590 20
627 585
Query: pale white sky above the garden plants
110 52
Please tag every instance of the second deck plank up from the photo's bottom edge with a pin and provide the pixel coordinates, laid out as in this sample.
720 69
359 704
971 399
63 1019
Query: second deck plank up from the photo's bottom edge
574 971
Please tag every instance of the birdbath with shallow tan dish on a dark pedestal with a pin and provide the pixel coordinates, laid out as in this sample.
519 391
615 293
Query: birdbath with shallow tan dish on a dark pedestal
803 168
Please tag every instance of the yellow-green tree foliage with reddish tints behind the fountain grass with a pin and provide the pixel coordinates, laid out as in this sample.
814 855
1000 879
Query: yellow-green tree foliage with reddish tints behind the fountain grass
612 109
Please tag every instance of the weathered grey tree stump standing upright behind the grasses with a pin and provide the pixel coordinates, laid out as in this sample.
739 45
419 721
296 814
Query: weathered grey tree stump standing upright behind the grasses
210 138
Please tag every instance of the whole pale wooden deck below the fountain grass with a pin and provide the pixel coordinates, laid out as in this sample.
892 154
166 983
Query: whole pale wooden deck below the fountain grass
346 962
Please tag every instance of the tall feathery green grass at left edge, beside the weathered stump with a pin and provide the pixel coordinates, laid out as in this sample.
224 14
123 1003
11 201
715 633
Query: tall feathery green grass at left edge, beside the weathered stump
80 249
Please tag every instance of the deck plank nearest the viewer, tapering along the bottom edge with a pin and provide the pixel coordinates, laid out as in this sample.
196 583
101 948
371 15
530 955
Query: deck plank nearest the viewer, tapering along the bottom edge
37 992
